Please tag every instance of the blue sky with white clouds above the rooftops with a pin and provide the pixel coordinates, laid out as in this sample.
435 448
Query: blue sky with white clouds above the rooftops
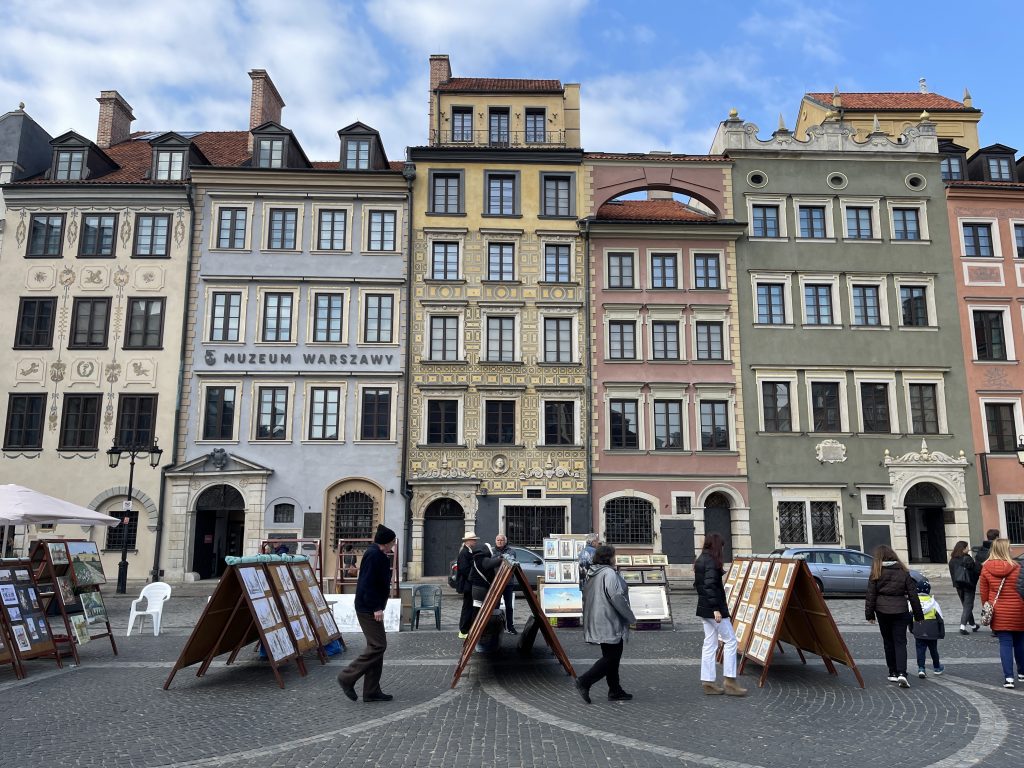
654 75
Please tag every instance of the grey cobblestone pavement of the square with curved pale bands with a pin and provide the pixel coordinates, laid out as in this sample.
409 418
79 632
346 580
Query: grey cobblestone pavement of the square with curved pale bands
507 711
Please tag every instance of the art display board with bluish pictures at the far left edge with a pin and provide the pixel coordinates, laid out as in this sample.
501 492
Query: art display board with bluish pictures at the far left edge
25 632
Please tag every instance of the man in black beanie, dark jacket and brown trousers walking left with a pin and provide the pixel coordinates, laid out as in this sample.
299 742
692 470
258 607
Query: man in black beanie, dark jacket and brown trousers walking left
371 598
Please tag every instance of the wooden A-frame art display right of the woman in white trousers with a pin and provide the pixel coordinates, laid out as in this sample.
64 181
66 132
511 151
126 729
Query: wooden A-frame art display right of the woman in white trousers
781 604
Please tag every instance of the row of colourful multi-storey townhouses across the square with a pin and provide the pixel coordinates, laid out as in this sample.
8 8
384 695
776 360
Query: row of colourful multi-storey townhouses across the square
808 337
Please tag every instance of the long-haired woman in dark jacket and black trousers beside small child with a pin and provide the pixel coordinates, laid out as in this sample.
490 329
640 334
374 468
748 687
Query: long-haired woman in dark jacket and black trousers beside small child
892 595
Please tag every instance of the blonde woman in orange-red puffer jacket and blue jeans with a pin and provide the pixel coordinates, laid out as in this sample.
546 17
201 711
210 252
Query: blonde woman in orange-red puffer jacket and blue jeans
998 586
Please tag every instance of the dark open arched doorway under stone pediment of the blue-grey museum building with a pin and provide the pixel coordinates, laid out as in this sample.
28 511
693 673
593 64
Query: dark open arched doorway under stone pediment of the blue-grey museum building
221 522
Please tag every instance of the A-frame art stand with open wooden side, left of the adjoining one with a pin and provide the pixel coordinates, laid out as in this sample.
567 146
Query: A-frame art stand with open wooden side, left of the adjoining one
242 611
